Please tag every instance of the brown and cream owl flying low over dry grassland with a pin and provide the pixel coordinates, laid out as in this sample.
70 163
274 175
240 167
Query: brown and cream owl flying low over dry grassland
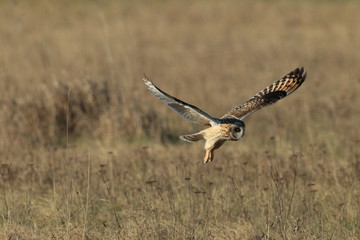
230 126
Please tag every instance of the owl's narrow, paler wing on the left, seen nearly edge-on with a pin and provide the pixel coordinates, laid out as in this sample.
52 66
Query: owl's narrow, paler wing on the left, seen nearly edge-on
188 111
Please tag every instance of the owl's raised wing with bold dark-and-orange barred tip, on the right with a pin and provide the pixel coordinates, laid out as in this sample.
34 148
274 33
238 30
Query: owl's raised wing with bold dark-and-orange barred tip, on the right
270 95
